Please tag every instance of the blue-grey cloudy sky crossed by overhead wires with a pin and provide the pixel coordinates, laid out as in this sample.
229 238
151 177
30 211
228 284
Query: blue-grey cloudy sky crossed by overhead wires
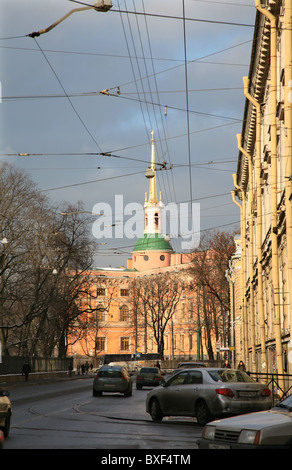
171 66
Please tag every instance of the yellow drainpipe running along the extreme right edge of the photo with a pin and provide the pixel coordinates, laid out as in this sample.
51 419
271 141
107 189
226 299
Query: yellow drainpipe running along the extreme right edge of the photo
288 147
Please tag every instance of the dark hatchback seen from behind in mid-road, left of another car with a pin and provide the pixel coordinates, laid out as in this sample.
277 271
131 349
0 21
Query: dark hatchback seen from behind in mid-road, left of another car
112 379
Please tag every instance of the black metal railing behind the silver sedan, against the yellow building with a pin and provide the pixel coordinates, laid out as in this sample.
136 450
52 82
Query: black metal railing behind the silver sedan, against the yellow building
279 384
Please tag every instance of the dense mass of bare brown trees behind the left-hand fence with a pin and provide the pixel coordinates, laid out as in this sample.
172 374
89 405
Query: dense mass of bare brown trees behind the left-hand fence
43 266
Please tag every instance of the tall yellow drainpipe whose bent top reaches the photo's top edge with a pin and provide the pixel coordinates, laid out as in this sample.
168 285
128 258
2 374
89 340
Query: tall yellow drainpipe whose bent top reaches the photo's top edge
274 227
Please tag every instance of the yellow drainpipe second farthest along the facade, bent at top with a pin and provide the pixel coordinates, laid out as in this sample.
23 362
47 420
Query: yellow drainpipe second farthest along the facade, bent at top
251 255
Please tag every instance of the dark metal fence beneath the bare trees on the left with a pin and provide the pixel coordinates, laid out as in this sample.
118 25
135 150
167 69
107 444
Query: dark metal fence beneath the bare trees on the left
14 364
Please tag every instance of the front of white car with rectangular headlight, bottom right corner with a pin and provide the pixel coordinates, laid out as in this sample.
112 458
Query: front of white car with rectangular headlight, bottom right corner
270 429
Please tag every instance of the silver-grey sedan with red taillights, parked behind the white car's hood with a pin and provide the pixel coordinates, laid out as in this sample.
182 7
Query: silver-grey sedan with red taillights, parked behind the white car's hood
207 393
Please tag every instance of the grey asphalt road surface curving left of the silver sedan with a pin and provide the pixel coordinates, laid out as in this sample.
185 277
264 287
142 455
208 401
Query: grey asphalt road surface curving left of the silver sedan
65 415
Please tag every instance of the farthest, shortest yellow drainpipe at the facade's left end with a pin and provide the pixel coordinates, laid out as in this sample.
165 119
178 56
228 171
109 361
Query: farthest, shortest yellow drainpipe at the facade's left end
243 267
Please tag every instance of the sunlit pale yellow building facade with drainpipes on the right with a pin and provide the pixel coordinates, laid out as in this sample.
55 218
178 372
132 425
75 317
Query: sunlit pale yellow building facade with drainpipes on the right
262 190
